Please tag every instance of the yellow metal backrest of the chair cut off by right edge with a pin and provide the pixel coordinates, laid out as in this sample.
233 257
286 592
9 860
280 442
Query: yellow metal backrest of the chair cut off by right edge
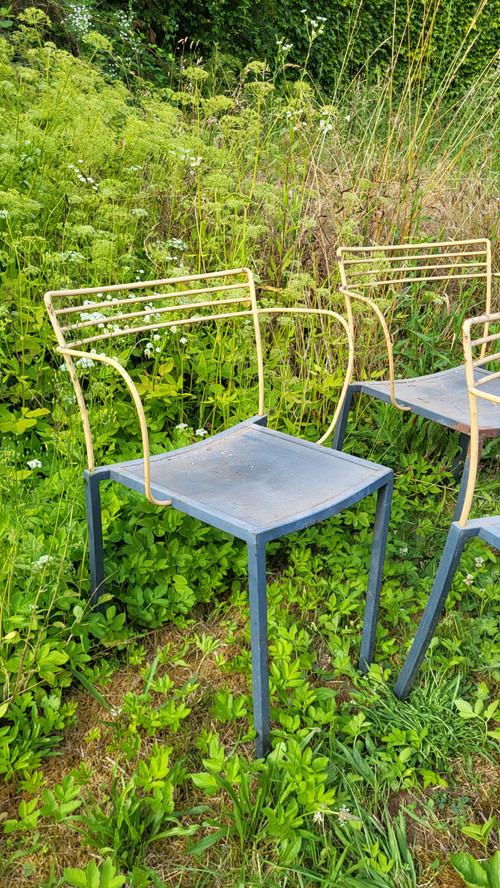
477 388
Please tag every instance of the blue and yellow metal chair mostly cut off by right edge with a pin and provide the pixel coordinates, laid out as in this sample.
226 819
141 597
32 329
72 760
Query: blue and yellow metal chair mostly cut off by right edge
482 387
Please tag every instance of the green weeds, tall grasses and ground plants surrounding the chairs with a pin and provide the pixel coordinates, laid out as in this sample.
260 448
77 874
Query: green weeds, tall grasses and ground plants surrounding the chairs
125 737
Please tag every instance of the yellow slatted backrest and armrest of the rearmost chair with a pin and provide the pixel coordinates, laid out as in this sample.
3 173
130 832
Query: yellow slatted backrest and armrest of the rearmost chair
369 273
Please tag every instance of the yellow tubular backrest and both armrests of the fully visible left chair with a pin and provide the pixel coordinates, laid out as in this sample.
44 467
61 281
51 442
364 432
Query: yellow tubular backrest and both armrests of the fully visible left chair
86 320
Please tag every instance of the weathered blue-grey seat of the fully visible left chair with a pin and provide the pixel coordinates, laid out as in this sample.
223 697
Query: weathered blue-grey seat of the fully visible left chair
254 482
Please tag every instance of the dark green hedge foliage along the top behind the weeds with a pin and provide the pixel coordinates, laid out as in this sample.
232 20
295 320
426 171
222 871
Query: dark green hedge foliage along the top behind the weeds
366 36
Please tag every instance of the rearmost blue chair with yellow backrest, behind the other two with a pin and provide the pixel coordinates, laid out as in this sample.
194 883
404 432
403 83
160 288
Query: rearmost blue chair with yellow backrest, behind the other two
440 397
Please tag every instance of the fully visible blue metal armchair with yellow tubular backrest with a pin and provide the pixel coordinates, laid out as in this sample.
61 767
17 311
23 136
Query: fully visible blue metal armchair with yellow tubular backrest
251 481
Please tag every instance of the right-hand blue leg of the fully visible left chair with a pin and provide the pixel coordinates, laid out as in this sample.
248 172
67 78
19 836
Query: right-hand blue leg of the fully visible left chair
380 529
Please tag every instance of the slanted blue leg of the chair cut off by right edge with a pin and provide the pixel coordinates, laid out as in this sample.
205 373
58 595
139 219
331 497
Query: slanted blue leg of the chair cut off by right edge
446 571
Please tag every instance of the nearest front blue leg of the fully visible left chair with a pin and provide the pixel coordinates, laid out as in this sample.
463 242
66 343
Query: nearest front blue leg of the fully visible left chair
258 636
